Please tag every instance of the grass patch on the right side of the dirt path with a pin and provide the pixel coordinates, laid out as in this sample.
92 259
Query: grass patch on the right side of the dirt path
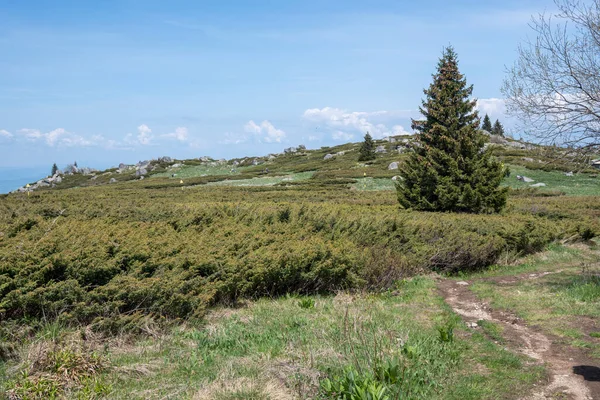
558 290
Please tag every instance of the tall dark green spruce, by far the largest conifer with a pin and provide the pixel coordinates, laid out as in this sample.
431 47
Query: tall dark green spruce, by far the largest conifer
448 168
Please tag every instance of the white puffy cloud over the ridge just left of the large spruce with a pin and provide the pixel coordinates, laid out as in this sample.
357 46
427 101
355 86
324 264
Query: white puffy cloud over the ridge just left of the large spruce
345 124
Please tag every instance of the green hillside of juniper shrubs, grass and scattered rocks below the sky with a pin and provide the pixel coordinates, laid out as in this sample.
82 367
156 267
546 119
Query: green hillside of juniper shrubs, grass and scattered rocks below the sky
295 275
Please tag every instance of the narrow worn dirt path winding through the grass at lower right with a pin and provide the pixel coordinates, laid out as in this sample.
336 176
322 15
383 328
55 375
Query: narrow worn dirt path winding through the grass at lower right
572 375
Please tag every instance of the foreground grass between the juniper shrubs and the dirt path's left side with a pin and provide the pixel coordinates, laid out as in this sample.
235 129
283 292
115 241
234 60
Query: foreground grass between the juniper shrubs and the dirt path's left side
276 349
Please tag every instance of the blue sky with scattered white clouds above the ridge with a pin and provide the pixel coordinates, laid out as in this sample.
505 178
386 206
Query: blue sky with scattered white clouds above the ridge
126 80
